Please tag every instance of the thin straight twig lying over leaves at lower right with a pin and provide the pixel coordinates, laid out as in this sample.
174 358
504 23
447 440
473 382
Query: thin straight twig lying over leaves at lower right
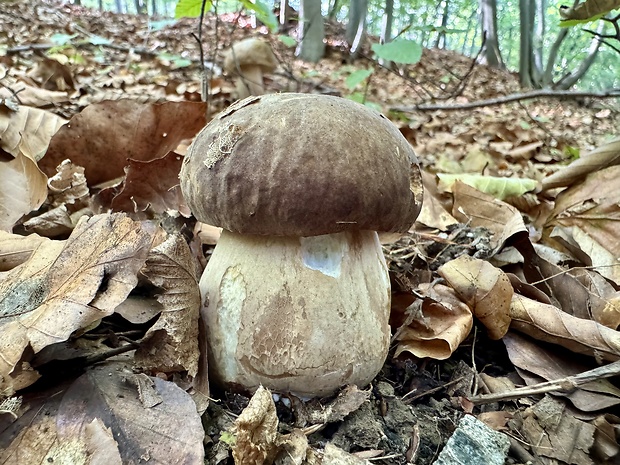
567 384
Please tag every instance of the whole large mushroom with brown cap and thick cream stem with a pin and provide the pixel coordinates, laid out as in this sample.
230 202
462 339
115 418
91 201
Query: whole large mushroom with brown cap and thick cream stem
296 295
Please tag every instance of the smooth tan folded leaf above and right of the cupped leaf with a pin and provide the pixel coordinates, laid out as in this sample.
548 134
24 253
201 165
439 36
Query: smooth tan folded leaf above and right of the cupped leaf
484 288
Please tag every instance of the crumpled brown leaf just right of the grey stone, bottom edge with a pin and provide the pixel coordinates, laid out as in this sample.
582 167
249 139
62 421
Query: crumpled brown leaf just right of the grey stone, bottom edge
554 432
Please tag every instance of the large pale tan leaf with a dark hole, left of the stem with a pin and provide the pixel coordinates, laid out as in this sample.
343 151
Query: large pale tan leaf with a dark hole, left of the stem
66 286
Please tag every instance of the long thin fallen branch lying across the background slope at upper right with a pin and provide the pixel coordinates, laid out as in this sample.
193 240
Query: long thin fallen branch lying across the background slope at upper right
611 93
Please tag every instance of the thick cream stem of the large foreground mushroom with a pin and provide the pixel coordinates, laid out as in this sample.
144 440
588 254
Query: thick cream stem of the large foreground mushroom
301 315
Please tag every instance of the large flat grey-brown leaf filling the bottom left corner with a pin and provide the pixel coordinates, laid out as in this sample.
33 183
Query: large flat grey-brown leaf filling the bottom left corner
55 426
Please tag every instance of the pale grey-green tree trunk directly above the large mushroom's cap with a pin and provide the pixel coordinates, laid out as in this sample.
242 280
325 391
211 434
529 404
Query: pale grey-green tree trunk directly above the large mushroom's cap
312 31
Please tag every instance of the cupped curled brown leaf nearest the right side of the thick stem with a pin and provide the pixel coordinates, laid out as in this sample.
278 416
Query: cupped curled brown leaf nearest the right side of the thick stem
434 326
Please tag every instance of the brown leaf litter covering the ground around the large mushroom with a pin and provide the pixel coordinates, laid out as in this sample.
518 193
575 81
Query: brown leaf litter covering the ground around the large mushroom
506 289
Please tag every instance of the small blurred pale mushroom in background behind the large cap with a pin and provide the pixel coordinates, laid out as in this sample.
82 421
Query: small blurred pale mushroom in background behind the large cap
248 60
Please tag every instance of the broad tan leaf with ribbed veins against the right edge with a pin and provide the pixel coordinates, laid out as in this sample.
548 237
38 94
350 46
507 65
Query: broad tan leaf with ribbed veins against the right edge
588 217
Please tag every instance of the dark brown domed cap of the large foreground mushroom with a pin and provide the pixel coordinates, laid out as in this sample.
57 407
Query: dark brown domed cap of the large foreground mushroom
302 165
